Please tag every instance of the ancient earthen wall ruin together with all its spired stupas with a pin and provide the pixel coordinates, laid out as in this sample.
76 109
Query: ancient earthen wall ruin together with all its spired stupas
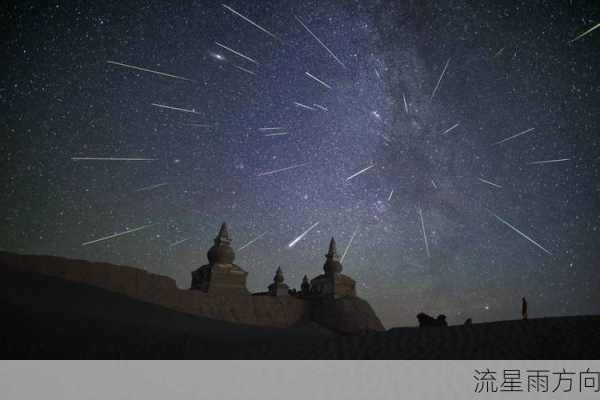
218 290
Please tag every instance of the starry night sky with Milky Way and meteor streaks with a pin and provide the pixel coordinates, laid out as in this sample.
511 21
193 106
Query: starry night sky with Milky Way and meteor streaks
391 122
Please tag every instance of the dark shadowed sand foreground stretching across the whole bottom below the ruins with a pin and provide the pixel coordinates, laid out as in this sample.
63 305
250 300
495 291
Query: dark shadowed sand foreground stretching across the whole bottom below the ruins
45 317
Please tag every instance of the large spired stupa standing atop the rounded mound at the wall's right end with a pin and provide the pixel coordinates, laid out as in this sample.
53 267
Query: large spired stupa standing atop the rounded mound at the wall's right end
333 282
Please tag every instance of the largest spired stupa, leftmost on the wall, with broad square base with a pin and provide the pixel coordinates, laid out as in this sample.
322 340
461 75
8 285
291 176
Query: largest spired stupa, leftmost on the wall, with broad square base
220 274
